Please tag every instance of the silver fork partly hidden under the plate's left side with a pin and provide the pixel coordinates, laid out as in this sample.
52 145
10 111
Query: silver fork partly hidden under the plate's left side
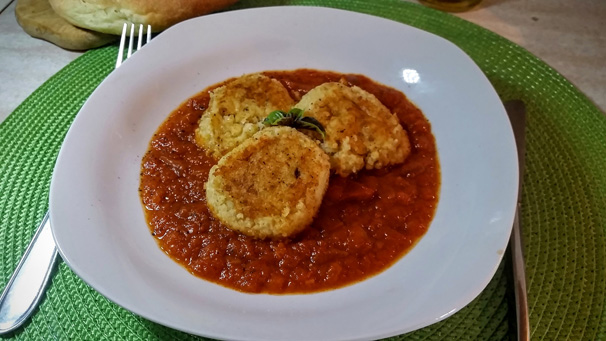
26 286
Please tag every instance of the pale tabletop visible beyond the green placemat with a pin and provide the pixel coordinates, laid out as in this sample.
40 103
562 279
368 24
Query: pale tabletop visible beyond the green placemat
567 35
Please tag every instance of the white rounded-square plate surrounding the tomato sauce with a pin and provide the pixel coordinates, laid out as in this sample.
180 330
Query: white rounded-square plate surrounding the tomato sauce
98 220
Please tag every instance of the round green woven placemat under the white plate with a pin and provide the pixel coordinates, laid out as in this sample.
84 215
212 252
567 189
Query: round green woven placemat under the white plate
564 199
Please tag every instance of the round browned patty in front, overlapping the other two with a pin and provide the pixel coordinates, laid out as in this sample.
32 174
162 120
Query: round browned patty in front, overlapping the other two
271 185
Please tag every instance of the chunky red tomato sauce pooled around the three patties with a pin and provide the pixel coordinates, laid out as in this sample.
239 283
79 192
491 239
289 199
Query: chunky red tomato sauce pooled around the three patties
365 224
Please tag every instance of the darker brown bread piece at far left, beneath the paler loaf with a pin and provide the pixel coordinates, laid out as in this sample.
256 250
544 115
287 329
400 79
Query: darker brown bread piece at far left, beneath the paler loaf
39 20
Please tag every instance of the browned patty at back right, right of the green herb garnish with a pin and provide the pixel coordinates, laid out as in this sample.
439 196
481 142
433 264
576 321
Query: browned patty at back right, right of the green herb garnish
360 131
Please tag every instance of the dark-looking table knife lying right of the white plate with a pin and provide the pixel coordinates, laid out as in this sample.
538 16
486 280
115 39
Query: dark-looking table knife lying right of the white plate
517 116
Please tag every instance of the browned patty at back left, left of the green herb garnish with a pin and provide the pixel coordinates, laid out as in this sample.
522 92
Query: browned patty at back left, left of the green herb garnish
236 109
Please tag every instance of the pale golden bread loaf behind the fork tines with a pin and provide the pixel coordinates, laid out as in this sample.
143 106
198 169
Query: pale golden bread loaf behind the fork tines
108 16
